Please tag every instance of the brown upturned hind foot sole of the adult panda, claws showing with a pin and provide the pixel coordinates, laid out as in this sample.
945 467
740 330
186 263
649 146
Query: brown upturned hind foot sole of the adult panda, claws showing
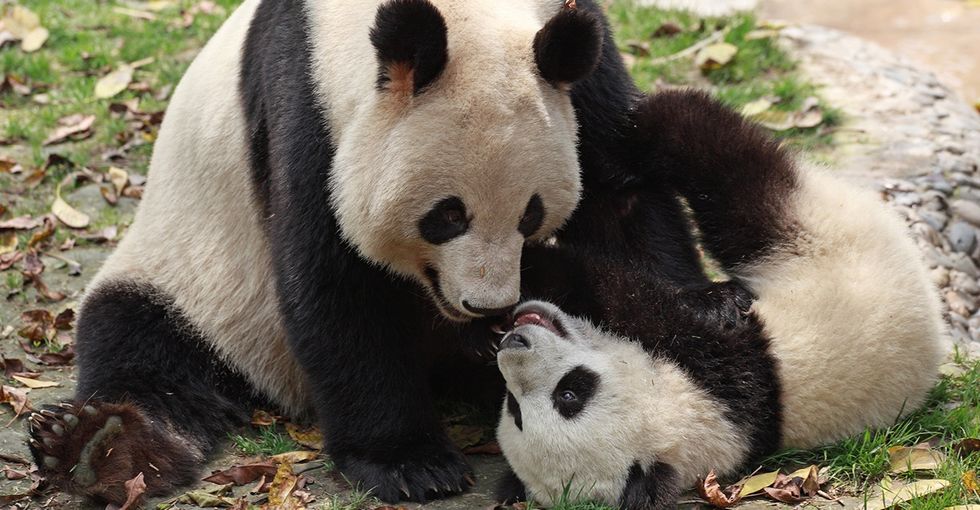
92 449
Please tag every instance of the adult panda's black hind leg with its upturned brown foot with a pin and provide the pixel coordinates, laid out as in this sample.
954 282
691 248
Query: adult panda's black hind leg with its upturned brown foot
151 399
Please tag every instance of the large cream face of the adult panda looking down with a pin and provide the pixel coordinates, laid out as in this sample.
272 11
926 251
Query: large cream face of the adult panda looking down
445 184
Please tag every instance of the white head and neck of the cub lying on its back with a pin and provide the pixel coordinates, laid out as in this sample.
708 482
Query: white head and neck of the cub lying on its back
584 406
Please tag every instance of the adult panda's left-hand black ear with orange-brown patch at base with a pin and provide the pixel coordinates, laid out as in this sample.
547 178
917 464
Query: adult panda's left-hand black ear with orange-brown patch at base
409 38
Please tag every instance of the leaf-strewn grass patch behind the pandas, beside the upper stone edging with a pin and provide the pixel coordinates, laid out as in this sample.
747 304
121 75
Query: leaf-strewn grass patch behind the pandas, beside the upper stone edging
760 69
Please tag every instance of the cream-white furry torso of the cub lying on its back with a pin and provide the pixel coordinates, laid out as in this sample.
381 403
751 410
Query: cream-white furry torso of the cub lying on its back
855 322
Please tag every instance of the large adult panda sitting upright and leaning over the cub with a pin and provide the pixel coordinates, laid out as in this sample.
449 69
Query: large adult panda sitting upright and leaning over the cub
329 173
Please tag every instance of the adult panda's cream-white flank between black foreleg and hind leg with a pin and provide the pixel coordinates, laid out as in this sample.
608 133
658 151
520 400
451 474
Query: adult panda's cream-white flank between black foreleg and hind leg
197 234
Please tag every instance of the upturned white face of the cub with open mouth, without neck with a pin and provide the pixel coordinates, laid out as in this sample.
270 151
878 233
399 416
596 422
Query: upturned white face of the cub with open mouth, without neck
574 414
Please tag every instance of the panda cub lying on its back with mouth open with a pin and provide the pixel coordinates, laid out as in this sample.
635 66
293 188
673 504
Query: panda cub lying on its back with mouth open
833 328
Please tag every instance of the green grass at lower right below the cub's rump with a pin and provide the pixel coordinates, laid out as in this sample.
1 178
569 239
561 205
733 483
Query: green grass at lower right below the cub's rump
951 414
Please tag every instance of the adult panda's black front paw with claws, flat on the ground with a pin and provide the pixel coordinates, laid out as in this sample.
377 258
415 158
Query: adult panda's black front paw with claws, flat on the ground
417 473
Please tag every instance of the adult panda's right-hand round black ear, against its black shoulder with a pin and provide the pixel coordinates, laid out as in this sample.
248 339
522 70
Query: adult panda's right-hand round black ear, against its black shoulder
568 47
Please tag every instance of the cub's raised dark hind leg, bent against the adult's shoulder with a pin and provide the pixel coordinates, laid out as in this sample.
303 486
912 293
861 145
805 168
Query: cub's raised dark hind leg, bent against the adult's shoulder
736 178
